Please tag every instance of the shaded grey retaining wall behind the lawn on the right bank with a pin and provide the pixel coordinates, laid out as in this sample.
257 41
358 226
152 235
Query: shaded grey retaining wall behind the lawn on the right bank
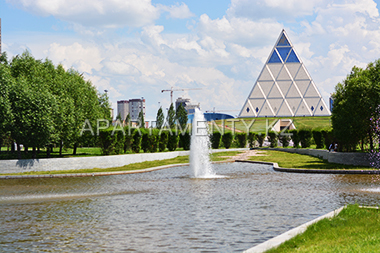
357 159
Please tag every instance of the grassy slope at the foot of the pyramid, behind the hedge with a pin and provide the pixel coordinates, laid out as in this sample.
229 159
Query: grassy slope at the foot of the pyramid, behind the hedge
260 123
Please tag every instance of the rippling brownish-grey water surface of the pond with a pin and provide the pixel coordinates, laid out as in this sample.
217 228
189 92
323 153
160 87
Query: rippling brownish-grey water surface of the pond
168 210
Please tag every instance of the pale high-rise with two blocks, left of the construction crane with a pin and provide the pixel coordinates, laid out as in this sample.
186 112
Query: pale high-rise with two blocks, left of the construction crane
132 107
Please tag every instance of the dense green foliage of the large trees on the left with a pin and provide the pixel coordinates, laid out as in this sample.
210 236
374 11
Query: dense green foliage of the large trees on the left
42 104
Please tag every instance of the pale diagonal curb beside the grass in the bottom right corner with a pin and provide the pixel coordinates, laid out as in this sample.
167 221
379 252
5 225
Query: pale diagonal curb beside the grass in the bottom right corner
276 241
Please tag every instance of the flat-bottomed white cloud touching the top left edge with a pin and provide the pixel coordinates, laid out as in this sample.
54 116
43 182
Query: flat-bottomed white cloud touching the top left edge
94 13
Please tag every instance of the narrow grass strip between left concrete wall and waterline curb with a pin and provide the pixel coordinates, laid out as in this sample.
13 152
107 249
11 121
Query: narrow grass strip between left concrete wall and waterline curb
221 156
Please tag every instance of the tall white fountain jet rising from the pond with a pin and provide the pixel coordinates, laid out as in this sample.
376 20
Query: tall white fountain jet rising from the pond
200 147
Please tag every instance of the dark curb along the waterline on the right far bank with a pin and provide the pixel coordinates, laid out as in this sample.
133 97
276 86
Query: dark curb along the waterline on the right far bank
279 169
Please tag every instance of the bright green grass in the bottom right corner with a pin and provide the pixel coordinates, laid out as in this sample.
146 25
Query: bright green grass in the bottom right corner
354 229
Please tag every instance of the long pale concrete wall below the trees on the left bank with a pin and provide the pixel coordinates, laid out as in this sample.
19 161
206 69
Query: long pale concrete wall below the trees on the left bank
76 163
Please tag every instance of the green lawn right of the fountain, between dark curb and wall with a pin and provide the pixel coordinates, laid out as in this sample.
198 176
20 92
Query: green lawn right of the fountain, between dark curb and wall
297 161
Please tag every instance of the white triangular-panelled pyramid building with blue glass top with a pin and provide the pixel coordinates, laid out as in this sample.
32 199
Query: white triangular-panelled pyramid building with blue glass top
284 87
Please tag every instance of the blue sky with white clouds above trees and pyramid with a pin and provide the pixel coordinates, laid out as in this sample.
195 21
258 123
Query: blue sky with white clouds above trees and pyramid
136 48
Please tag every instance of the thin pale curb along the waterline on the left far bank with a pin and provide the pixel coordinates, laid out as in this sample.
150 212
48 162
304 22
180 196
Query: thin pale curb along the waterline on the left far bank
110 173
